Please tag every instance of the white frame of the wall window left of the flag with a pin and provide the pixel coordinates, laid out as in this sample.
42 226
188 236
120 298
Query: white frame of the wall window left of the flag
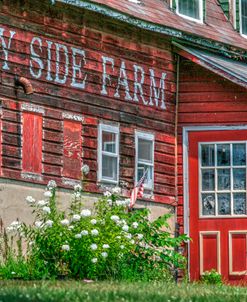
114 130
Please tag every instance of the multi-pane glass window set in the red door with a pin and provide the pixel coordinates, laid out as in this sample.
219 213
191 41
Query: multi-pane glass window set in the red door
223 179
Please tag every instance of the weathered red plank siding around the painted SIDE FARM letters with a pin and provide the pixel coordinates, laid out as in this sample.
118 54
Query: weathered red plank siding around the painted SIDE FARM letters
96 36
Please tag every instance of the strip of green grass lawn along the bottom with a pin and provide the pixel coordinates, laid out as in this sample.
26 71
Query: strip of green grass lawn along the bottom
72 291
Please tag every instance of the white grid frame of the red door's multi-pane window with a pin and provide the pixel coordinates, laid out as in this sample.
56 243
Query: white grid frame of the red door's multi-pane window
231 190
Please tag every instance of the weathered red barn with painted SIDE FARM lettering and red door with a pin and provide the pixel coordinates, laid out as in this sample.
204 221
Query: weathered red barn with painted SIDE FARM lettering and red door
129 86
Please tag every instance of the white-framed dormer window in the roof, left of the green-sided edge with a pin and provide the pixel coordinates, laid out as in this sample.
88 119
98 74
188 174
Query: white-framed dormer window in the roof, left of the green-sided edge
190 9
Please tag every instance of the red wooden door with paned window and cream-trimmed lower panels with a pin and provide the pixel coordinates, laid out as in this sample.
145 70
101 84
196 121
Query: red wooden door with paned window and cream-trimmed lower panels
217 203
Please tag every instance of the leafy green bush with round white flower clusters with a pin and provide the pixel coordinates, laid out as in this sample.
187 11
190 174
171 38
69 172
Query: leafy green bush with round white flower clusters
107 241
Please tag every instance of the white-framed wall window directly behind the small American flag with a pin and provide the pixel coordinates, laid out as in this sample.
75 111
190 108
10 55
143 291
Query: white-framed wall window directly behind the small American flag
145 158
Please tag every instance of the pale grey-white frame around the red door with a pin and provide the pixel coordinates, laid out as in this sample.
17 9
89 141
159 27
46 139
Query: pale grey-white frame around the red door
186 204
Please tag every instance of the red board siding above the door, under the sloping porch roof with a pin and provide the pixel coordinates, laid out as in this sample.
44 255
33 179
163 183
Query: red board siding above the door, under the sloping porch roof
205 99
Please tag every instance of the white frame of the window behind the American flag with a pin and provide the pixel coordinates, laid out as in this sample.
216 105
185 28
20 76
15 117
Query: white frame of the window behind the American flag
149 137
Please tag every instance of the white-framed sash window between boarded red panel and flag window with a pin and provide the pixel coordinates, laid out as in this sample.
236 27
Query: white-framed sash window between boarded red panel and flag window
108 153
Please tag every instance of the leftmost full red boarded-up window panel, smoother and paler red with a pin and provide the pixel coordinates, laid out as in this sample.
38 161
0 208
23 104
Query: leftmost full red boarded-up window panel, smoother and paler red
32 143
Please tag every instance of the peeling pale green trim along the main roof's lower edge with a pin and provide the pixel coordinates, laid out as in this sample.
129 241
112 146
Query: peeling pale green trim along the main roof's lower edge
105 10
